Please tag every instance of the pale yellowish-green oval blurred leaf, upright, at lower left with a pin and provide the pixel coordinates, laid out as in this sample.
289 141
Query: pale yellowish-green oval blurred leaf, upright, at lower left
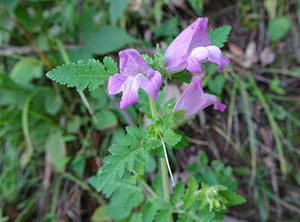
56 149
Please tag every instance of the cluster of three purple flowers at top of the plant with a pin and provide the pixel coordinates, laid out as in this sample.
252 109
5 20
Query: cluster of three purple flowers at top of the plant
191 48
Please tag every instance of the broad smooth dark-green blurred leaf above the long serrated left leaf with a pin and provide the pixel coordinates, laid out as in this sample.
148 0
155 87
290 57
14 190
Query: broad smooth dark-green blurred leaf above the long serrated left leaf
108 39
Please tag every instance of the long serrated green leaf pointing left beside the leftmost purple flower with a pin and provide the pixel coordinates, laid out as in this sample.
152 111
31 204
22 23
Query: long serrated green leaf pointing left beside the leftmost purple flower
90 74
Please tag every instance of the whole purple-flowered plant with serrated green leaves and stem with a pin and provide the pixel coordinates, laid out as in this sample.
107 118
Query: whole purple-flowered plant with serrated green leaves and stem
140 78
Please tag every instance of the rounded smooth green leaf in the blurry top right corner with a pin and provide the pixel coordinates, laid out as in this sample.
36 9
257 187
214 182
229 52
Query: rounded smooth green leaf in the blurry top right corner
278 28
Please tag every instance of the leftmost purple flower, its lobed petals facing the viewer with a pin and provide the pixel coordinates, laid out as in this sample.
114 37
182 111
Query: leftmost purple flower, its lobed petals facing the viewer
135 73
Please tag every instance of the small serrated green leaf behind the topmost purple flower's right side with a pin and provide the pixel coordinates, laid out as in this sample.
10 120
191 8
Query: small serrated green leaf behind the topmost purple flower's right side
219 36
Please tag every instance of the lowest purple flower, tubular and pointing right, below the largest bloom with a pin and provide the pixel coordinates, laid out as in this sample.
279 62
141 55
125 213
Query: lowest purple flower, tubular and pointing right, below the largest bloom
193 99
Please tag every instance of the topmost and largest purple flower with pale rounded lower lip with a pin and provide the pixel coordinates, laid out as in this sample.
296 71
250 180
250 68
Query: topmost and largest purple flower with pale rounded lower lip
191 48
